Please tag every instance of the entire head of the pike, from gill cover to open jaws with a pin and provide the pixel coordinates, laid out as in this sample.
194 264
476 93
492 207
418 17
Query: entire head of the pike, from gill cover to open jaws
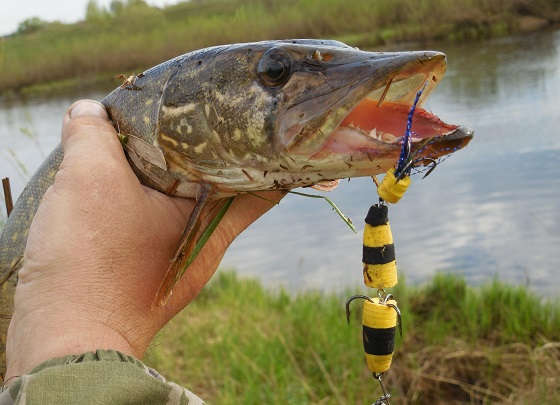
317 103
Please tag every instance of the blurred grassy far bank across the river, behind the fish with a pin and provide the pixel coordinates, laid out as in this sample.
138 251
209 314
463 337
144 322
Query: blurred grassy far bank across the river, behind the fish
135 36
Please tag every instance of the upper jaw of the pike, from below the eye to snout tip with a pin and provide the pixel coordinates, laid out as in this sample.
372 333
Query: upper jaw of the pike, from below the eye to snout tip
318 100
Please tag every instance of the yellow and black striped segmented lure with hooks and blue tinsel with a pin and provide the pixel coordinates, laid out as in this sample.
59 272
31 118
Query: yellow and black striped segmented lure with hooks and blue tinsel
381 315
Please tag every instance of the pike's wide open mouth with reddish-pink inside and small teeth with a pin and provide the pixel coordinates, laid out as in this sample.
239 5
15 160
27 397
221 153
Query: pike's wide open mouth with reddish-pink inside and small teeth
377 123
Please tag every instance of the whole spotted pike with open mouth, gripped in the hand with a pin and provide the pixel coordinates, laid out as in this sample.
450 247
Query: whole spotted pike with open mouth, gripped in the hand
272 115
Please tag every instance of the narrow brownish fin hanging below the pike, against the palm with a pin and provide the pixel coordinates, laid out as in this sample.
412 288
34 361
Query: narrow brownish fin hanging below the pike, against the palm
192 241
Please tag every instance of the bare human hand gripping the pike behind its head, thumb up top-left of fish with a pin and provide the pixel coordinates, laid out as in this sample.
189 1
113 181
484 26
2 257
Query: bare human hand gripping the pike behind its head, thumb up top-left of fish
98 248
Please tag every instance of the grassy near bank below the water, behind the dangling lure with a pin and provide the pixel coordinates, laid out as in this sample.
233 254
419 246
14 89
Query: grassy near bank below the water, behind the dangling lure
240 343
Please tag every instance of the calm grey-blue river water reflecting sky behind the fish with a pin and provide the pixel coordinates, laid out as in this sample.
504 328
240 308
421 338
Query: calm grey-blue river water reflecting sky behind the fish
489 210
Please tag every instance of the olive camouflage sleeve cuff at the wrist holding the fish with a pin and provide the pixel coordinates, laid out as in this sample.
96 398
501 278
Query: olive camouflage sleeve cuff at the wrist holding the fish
100 377
